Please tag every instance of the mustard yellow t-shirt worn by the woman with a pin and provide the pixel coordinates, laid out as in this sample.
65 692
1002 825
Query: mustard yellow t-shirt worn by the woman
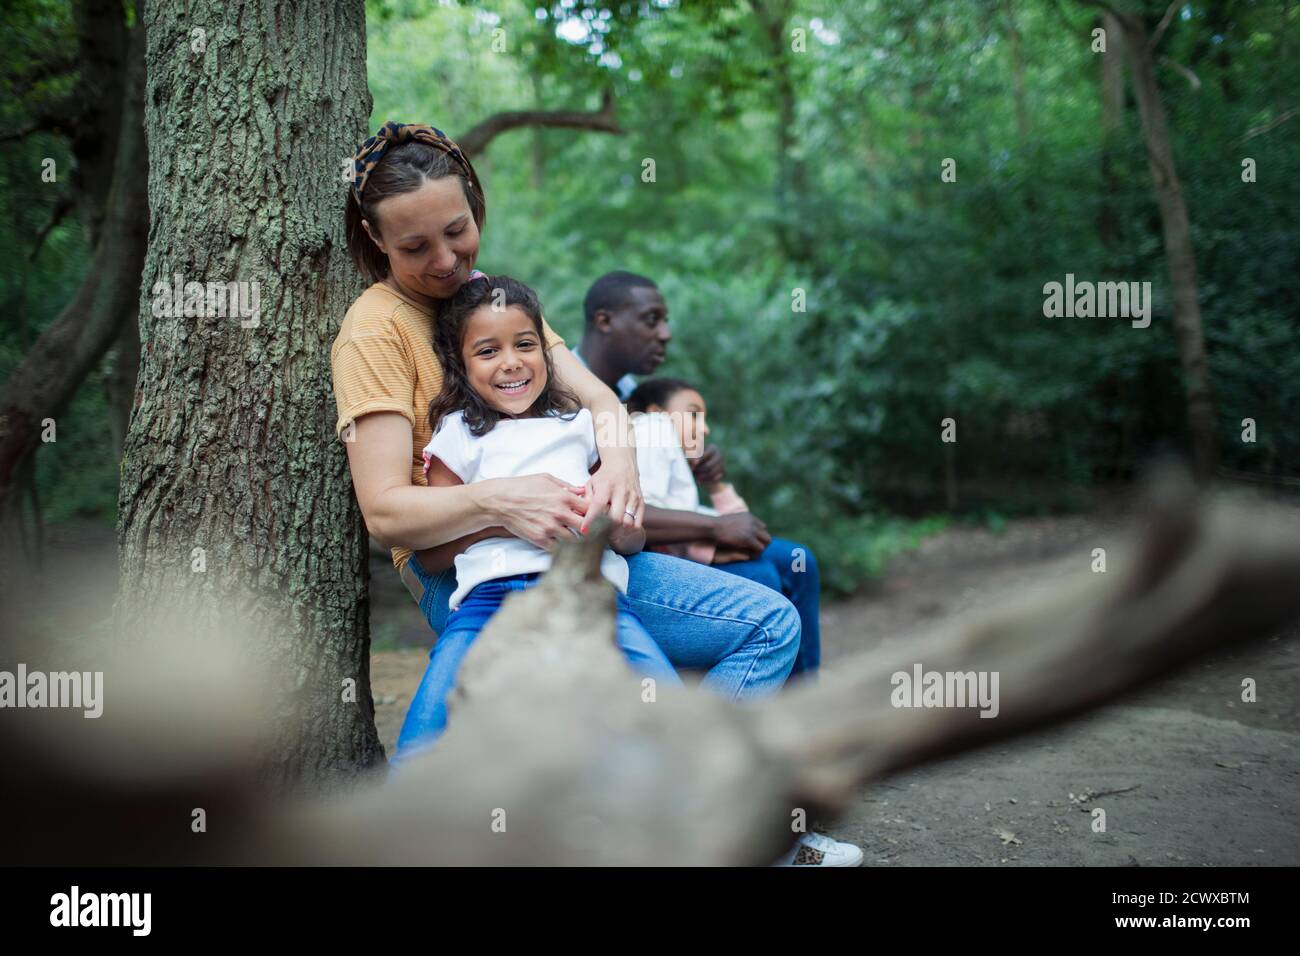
384 361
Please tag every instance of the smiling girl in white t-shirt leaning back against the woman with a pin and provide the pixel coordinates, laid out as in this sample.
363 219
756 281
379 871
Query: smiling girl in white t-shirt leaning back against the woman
504 414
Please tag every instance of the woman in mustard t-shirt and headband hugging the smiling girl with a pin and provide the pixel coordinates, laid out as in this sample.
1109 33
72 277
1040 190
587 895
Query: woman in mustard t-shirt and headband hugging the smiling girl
414 219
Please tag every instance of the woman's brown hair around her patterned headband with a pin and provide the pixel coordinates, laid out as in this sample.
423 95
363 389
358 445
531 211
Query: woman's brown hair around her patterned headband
404 170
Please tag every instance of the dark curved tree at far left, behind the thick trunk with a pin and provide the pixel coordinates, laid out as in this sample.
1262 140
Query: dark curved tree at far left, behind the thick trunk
101 120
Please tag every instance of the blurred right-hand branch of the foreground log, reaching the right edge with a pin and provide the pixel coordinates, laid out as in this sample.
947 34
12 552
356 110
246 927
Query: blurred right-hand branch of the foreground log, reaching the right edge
1181 594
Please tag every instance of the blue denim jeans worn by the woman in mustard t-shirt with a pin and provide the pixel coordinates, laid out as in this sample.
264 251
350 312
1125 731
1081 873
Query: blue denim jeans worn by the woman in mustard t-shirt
744 635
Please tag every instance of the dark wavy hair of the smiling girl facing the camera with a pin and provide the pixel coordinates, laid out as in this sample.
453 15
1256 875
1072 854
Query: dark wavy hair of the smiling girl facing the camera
449 336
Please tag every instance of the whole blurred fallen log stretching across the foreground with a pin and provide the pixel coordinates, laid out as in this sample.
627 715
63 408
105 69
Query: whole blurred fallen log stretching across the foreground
557 754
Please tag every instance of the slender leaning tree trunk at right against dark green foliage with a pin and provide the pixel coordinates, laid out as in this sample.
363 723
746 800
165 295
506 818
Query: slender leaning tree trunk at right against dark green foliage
1202 417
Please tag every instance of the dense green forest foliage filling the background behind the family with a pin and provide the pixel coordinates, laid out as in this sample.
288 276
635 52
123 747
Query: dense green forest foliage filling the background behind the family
924 299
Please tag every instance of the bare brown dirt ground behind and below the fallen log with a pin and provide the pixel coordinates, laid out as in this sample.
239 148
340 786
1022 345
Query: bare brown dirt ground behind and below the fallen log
1188 773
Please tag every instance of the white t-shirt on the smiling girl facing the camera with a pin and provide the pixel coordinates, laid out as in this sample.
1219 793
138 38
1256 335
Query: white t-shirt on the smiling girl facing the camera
517 448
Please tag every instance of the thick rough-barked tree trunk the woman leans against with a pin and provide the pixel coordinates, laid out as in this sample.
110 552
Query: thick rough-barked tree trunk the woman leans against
235 495
